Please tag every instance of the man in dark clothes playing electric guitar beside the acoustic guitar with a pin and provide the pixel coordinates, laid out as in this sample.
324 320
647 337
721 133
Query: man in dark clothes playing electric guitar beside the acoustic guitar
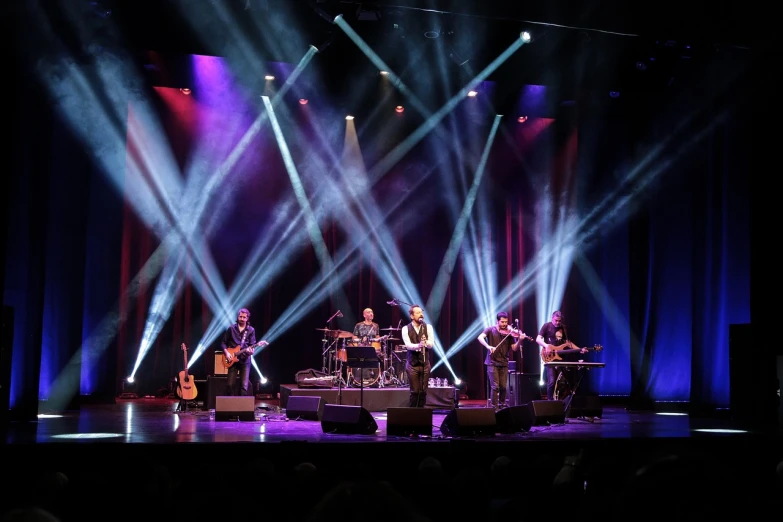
238 345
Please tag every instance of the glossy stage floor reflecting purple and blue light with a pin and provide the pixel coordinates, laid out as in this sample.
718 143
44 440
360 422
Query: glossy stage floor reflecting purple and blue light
157 421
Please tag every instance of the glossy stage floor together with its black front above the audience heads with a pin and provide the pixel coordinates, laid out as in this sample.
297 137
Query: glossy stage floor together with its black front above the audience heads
130 442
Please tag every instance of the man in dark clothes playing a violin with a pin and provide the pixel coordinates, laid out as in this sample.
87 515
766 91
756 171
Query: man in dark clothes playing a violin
499 340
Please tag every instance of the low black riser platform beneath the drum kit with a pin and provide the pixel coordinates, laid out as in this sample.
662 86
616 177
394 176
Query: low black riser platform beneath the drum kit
375 399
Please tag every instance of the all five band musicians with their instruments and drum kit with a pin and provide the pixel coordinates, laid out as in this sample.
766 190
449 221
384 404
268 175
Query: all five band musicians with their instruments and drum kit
404 355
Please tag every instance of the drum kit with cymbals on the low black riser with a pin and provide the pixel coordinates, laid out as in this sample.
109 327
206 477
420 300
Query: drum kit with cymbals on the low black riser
390 371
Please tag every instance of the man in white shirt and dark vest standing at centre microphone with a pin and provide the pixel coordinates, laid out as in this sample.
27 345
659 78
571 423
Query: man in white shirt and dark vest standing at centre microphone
418 339
